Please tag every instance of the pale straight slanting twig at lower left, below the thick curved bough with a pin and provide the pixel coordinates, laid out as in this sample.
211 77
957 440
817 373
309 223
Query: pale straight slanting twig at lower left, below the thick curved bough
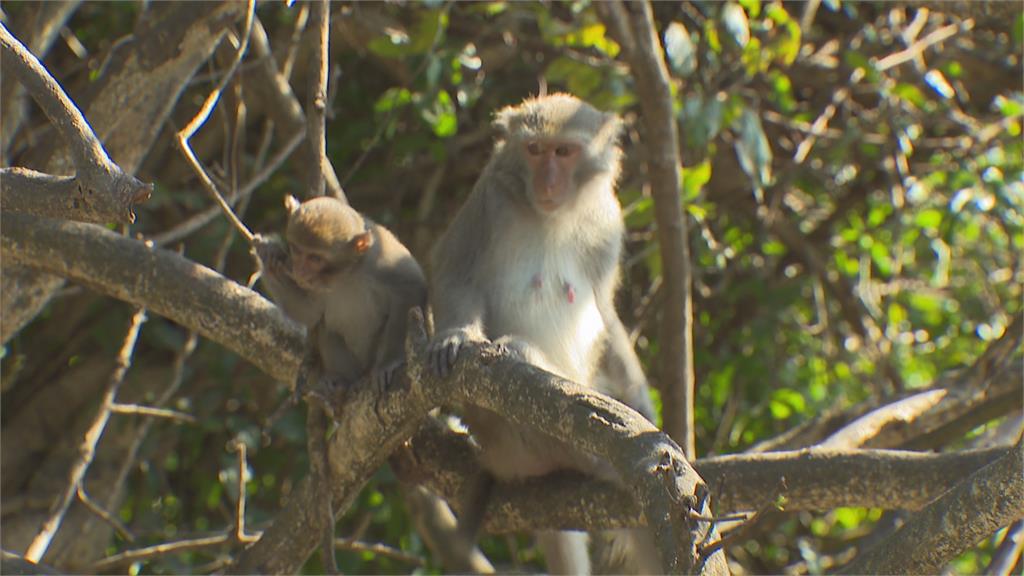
89 447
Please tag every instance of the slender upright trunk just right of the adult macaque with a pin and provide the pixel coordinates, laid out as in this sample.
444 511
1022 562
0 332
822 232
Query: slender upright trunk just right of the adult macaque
644 50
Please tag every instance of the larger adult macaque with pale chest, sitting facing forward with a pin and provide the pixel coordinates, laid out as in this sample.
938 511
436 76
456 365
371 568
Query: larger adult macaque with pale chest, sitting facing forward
532 262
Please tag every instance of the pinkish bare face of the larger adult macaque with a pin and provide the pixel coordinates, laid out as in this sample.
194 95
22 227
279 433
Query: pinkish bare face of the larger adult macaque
552 166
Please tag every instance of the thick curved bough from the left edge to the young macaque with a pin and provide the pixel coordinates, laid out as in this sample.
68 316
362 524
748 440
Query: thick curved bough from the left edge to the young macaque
164 282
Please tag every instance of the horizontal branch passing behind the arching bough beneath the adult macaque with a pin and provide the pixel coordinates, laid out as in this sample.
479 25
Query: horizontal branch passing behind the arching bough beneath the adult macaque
815 480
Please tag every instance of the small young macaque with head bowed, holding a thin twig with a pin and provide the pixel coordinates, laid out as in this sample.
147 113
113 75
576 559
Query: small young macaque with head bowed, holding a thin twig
350 281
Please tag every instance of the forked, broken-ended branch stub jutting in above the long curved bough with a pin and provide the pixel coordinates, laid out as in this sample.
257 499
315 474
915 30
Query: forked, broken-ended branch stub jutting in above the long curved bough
102 191
